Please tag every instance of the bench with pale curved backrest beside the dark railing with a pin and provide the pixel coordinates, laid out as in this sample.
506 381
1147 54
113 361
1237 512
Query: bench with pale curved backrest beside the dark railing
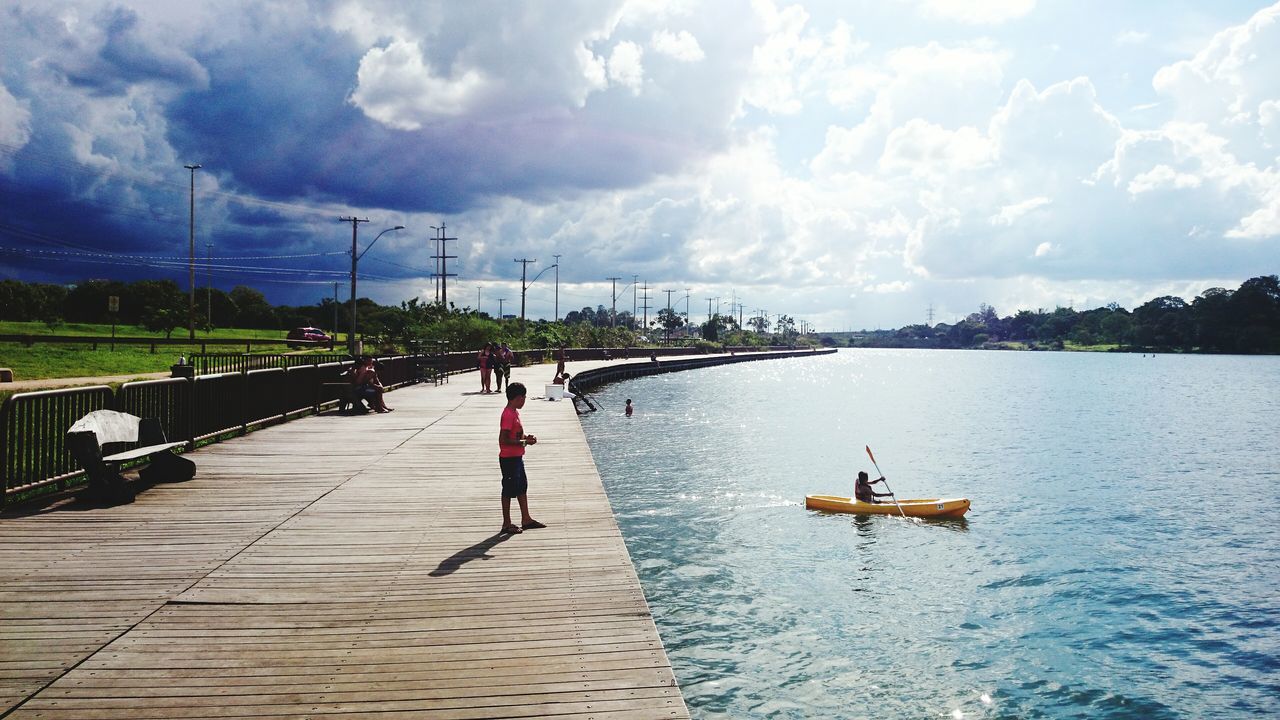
106 440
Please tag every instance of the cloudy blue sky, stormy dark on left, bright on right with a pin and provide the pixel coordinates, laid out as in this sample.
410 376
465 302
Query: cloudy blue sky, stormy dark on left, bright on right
852 165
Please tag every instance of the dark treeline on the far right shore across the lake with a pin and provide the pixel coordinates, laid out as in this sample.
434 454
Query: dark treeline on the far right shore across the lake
1245 321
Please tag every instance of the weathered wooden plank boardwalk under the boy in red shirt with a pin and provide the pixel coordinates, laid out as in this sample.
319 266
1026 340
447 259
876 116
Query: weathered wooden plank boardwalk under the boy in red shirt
336 568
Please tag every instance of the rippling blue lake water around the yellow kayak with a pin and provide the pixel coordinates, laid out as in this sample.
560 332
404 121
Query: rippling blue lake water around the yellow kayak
1122 558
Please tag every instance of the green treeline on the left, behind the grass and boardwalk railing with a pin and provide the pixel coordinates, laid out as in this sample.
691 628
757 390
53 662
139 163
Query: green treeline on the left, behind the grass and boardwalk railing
163 307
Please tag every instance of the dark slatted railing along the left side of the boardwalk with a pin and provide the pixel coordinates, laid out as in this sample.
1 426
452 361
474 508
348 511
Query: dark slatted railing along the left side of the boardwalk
34 458
